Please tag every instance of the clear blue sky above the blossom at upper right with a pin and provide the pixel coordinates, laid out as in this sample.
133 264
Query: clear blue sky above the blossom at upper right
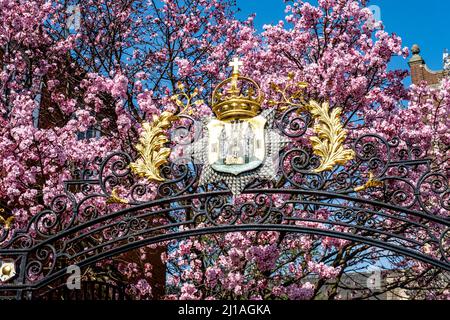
415 21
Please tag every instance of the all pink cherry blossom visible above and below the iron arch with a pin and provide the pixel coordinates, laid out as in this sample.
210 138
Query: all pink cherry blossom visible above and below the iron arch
118 65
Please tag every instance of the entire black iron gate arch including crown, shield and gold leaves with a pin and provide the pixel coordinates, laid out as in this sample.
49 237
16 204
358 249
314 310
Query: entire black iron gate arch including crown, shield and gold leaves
375 192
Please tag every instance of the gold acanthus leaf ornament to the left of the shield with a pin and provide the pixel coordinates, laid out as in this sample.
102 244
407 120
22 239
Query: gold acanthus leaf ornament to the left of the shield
153 153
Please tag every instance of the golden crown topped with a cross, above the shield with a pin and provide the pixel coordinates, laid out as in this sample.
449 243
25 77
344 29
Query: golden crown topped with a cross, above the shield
237 97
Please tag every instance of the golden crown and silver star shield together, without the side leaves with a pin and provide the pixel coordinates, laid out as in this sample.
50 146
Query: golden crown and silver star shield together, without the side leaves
241 144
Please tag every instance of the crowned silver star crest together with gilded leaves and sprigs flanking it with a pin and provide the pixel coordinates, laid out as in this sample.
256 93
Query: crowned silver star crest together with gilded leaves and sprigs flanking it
241 143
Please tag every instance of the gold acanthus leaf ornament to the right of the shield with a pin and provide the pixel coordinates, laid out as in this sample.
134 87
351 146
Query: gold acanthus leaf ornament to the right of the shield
330 136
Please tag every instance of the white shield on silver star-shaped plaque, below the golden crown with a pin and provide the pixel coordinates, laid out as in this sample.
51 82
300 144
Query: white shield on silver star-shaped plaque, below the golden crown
248 151
